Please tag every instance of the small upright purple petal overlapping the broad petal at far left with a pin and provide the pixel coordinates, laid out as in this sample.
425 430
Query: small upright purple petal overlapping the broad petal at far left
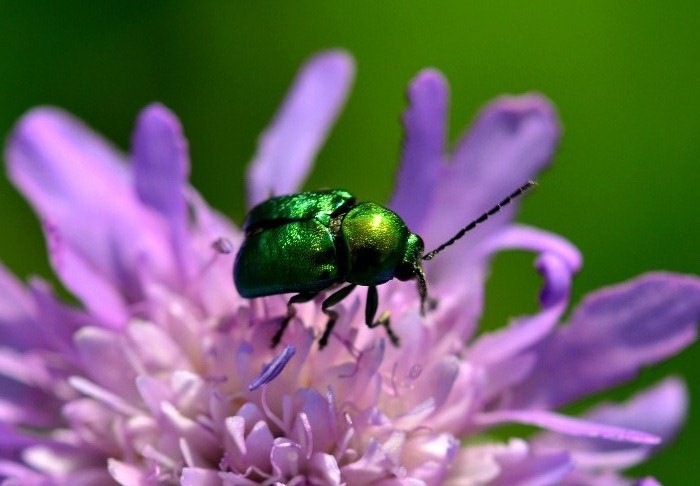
161 169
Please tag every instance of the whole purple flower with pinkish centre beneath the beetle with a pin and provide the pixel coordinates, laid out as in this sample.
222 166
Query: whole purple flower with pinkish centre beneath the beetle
165 374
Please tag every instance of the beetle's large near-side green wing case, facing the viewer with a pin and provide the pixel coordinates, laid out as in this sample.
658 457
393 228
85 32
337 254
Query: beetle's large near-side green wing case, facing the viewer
299 256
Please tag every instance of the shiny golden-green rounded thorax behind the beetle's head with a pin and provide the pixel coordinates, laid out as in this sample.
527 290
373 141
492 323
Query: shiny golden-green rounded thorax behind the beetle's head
374 240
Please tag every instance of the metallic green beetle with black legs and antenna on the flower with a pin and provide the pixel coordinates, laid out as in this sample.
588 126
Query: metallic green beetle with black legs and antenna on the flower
309 242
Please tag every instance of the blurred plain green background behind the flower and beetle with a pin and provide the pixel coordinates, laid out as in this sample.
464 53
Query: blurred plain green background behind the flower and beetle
624 75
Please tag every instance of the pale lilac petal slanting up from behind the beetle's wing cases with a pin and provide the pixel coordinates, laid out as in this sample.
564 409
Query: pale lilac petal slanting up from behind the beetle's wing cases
287 148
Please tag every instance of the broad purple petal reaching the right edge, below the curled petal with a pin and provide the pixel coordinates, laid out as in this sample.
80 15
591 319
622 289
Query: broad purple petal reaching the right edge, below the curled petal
611 335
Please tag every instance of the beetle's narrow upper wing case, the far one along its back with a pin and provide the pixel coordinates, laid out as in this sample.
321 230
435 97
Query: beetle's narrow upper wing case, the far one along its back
321 205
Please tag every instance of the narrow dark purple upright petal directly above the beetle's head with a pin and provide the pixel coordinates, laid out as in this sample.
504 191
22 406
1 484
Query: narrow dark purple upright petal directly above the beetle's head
424 148
